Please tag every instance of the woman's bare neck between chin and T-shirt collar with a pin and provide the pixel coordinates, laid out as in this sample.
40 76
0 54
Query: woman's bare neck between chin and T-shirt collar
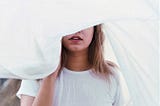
77 61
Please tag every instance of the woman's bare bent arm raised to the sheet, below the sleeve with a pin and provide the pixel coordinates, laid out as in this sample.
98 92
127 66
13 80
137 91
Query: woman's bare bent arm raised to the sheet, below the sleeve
45 94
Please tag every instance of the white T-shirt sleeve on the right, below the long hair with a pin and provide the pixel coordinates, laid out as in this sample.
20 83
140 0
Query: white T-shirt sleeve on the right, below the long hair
122 96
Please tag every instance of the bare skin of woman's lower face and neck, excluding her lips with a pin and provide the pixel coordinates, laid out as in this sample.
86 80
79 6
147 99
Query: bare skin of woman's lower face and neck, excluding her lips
78 51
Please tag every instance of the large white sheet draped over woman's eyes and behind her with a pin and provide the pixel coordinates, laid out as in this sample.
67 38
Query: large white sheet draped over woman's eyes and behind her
31 31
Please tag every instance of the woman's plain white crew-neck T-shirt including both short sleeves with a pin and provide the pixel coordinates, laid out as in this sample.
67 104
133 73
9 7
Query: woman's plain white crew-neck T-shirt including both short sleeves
83 89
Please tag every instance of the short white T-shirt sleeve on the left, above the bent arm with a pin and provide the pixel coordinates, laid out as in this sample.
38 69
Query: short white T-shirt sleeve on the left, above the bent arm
28 87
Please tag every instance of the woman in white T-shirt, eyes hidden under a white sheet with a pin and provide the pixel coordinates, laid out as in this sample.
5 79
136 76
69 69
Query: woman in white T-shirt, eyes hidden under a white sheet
83 77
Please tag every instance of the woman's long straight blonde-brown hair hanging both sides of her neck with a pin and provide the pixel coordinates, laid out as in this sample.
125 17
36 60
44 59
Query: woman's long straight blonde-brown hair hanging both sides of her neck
100 67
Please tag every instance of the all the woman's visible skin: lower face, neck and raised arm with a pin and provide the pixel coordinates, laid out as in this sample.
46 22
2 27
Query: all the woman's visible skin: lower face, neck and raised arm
77 60
